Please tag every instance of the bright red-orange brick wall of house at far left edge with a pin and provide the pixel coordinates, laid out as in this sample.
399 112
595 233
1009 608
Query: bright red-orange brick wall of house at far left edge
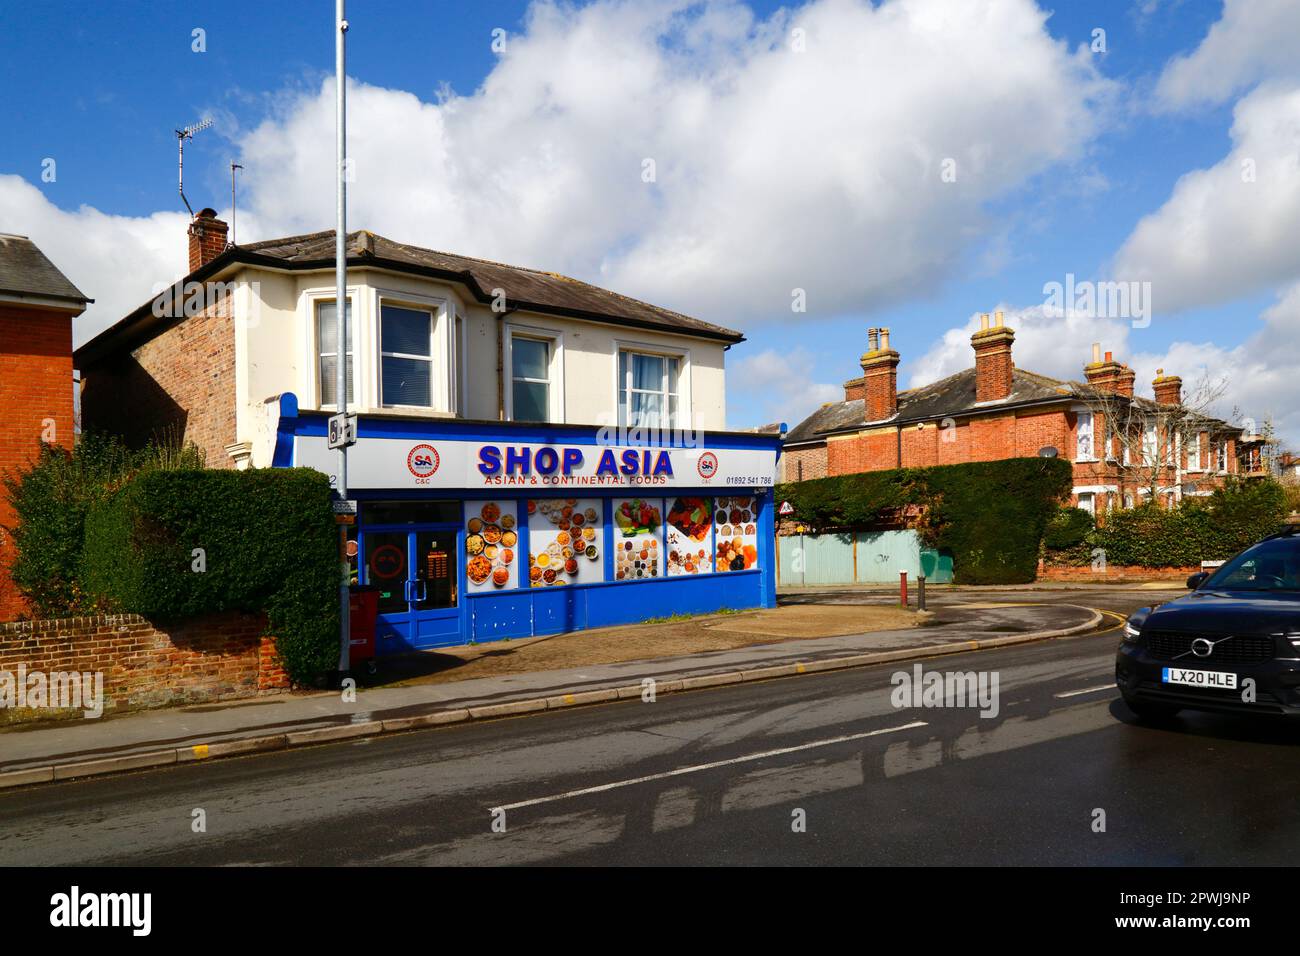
36 387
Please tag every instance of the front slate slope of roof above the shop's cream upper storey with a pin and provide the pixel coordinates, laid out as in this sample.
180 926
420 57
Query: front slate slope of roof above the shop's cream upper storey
530 289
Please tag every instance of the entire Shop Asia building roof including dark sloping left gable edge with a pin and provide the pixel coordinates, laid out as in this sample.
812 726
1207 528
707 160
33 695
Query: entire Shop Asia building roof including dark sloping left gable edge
526 289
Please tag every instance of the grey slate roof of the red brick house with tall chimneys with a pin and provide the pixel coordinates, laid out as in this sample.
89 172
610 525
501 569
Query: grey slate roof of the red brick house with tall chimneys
955 397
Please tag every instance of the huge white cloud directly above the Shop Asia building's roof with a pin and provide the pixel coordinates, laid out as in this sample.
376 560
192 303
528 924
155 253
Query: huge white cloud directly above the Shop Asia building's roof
774 170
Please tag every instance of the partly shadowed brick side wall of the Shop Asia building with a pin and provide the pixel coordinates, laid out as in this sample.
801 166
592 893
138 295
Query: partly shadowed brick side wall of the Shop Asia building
183 380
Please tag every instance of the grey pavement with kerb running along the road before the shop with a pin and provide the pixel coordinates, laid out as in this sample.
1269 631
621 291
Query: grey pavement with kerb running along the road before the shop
181 736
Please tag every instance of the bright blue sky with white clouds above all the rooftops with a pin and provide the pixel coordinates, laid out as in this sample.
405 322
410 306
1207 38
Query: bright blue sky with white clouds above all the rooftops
99 88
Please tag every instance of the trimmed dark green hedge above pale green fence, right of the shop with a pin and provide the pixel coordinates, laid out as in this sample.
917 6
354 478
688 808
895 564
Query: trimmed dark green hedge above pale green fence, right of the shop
990 516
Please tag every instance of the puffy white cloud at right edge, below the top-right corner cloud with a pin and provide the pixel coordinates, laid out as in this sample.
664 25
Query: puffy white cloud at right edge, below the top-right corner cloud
1228 231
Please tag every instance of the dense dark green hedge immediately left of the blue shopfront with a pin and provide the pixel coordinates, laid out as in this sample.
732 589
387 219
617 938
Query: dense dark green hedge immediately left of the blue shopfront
181 544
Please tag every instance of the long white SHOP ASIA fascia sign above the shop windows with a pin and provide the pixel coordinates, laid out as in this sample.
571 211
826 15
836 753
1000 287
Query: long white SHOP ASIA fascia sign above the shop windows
395 464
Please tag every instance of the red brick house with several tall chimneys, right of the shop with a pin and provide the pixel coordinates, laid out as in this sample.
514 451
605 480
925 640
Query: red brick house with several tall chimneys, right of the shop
995 410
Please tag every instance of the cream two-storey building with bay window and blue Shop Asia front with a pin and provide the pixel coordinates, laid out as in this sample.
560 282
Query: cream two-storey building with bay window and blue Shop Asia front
535 455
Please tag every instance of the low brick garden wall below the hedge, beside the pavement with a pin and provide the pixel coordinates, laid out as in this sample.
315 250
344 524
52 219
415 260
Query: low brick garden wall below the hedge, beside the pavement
145 665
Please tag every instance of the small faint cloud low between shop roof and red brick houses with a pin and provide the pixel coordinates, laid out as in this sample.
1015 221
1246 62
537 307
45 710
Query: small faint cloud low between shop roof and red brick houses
775 387
